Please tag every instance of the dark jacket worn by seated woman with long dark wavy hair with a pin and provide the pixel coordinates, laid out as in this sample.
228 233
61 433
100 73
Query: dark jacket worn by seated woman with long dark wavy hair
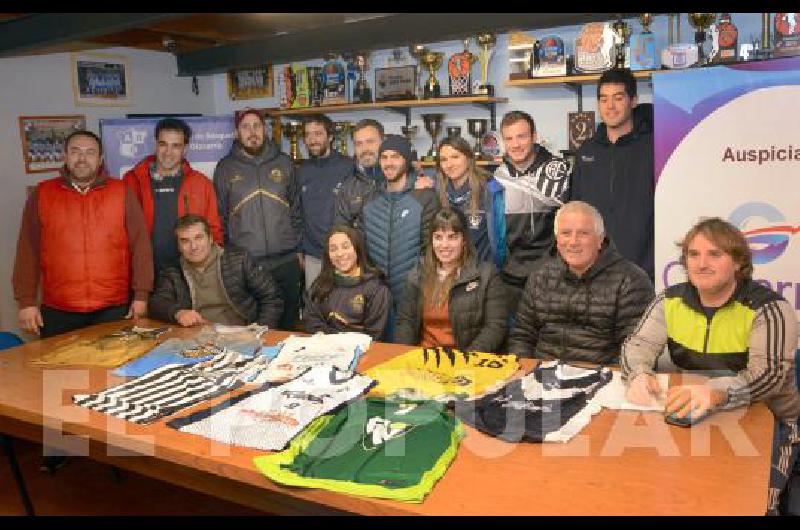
354 304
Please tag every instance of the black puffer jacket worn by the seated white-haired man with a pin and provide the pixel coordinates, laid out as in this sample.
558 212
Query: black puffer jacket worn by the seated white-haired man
580 319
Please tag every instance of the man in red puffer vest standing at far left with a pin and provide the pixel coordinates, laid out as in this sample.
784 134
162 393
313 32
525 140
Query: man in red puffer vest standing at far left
83 232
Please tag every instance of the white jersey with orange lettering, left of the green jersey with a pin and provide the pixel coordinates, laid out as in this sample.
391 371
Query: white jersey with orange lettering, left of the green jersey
269 419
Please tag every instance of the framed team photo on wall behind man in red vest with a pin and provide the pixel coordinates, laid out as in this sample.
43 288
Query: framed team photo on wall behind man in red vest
43 140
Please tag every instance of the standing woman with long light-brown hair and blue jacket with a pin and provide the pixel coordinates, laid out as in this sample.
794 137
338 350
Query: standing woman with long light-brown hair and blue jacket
465 186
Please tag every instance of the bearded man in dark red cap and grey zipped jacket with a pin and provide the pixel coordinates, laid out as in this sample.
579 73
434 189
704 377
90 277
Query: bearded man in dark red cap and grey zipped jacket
259 207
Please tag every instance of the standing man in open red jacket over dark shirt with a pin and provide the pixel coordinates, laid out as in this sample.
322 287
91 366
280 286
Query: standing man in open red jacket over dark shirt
168 188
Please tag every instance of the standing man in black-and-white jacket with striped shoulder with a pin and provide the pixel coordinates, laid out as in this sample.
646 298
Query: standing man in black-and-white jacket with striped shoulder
535 185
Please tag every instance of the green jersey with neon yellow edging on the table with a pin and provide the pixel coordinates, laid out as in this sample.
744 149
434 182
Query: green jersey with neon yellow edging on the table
372 447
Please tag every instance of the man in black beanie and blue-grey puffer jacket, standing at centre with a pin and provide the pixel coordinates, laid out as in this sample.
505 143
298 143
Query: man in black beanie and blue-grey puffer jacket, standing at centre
397 218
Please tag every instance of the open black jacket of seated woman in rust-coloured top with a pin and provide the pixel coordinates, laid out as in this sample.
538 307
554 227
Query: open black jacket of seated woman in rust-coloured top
477 309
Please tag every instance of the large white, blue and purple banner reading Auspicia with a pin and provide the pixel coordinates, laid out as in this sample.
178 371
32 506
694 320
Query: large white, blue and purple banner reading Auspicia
727 144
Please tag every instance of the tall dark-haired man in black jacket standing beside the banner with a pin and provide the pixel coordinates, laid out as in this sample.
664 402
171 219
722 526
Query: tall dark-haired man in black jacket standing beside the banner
614 169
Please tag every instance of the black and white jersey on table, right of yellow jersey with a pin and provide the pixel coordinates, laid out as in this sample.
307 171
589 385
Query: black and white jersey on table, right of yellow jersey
551 404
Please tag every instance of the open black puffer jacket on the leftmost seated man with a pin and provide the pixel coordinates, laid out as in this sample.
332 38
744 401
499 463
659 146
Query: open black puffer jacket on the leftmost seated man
250 289
